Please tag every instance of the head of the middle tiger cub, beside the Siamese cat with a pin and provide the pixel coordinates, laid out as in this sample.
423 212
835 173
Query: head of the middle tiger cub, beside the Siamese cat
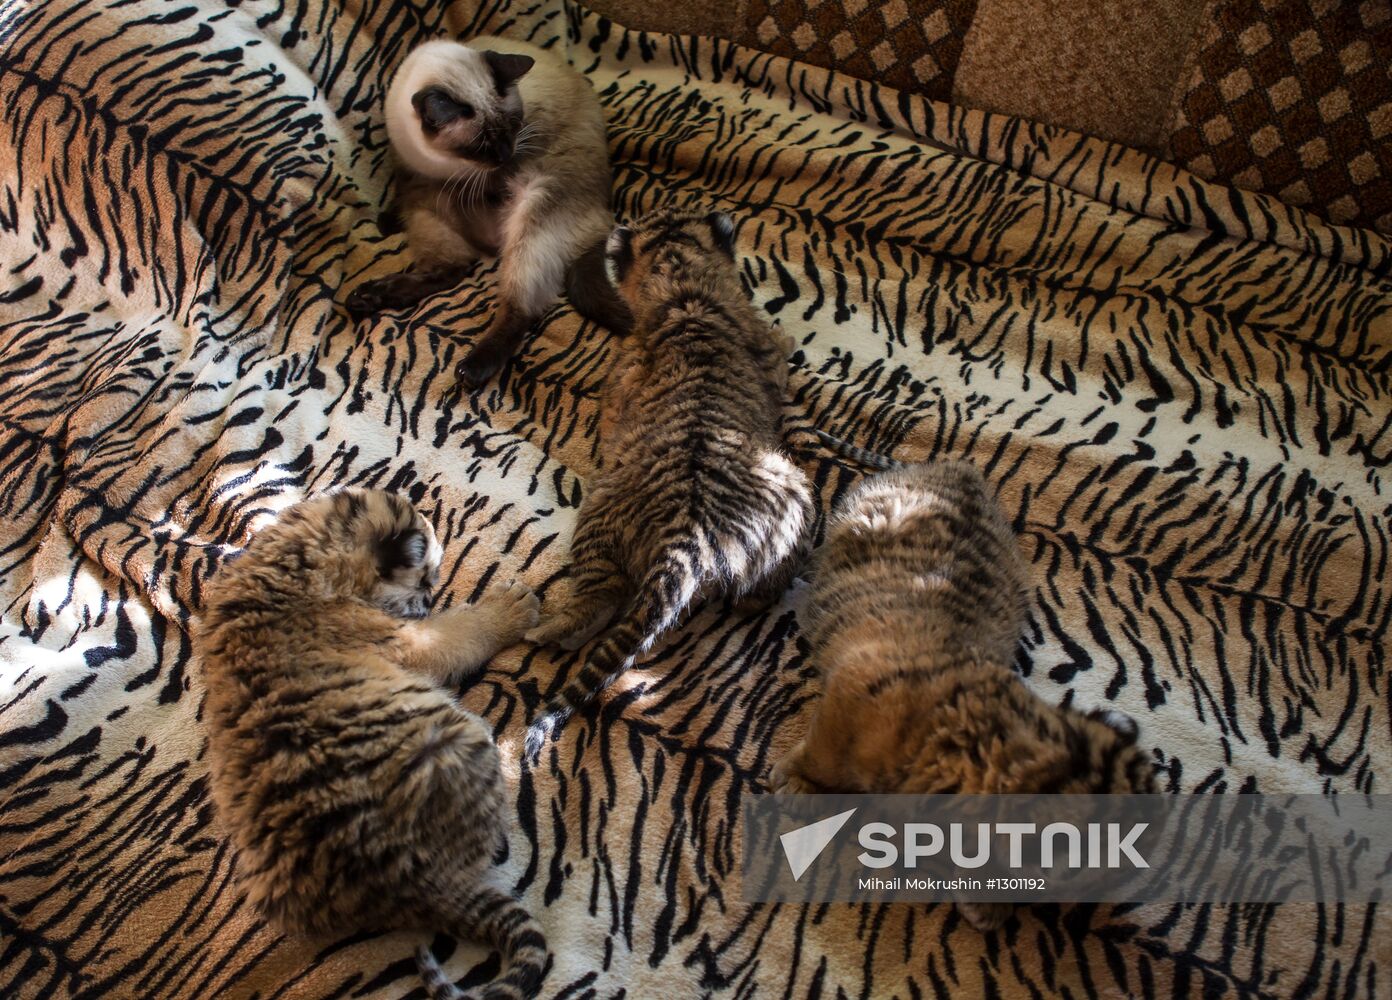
669 251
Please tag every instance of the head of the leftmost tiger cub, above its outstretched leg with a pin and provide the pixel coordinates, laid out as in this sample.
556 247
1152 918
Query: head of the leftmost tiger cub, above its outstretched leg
370 545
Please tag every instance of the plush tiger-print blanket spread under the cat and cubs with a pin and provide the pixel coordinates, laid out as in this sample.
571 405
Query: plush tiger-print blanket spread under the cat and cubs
1181 393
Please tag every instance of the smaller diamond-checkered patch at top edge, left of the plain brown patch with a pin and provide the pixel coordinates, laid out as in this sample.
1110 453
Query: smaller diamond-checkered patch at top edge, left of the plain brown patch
910 45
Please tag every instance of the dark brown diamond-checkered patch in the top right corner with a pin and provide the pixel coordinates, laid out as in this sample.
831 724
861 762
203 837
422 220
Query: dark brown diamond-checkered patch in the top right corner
1294 98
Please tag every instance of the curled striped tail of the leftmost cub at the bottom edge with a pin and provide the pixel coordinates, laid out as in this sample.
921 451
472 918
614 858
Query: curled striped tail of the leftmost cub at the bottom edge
492 916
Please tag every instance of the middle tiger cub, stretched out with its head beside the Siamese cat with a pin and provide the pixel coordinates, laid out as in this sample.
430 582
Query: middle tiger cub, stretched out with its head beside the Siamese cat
697 498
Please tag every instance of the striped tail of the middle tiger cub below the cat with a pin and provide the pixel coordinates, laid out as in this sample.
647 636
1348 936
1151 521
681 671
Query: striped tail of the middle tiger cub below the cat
666 593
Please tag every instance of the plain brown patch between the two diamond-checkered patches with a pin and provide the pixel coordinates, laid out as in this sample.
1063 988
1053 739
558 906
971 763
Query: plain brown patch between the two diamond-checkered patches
1105 68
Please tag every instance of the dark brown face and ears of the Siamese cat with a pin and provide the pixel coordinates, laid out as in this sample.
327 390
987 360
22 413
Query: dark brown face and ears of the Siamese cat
485 126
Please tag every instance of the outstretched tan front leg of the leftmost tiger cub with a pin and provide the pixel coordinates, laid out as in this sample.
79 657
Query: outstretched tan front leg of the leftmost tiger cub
453 644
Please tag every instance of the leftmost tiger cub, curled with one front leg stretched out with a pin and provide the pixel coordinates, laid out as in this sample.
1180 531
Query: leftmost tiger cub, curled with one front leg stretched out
357 792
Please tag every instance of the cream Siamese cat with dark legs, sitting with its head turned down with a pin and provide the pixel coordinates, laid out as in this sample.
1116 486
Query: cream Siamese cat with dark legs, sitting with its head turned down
500 153
